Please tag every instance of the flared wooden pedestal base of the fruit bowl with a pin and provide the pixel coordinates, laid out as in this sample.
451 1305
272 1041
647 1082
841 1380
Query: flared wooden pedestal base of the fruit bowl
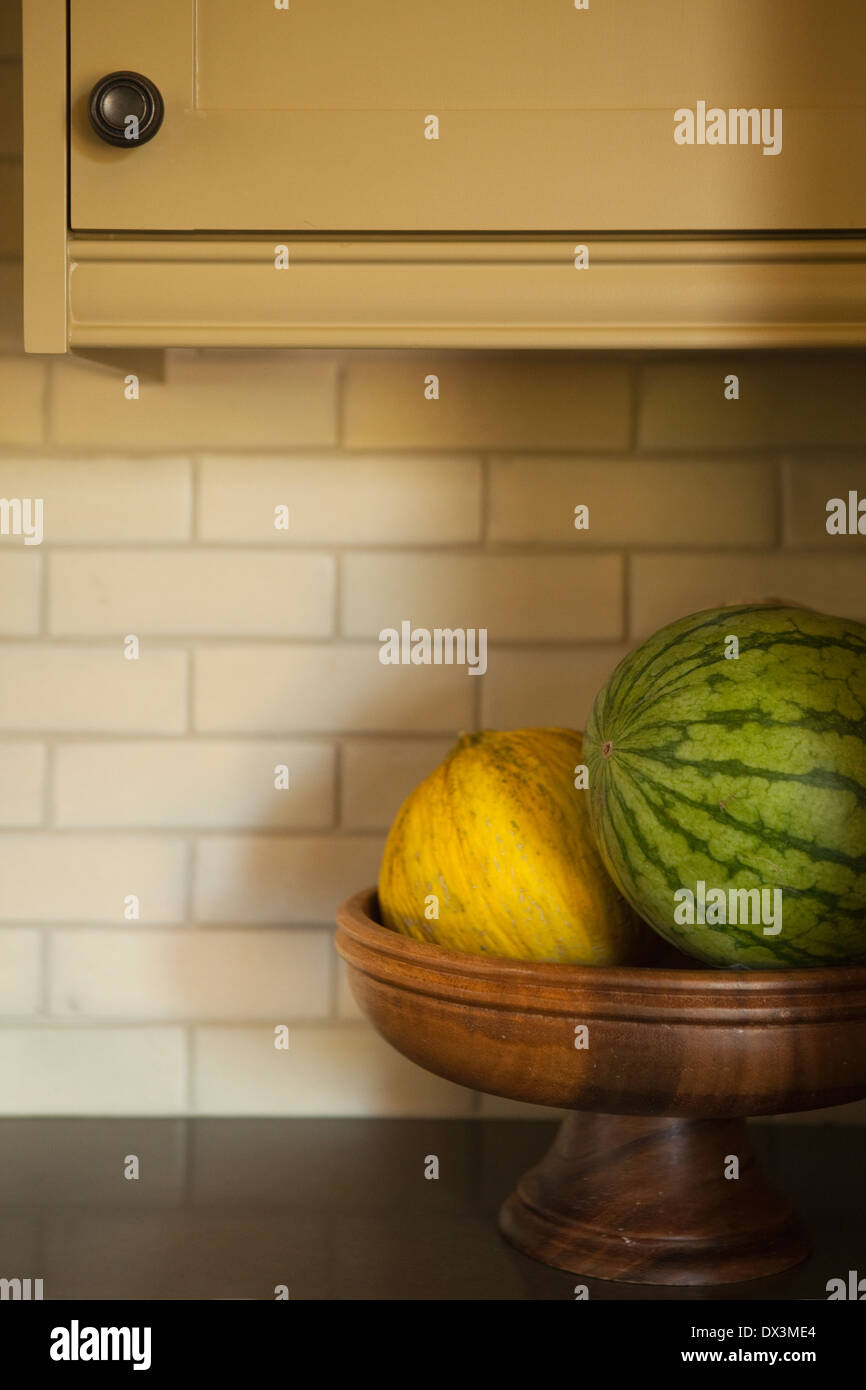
647 1202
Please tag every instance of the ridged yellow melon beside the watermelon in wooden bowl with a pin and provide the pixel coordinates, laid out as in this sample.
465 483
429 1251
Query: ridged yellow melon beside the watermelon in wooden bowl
494 854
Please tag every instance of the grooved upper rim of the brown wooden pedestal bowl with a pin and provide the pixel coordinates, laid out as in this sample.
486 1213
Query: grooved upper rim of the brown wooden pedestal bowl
358 922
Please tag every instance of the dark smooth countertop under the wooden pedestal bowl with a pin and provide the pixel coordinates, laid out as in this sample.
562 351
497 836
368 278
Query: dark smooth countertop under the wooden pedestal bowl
340 1209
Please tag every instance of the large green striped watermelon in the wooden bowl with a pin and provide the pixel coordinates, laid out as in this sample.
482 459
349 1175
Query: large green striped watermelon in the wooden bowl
739 774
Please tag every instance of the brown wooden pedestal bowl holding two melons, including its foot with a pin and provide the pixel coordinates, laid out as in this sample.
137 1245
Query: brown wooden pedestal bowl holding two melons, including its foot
658 1184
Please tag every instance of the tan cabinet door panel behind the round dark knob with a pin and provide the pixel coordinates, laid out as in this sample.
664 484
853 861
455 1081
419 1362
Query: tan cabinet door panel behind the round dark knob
550 119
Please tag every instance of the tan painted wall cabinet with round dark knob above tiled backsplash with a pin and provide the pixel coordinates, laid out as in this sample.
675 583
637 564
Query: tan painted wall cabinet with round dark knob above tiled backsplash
433 172
